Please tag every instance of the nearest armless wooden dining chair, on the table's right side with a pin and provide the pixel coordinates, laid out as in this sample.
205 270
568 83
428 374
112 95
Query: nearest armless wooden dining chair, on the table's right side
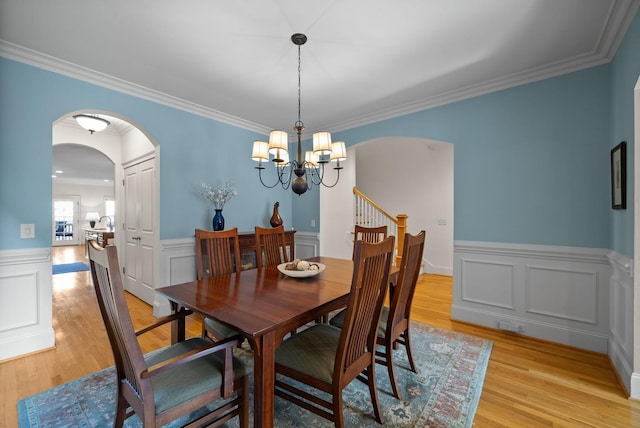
328 358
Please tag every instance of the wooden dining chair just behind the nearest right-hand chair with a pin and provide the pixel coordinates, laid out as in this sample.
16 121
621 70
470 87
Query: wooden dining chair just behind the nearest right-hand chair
395 319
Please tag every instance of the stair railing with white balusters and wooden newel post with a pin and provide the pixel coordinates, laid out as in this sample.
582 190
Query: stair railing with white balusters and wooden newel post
369 214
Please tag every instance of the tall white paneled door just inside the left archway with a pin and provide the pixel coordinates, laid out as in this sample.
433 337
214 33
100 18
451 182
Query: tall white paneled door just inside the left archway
139 229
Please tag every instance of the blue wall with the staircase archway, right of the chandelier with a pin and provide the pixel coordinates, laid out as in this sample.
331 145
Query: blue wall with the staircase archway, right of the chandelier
530 163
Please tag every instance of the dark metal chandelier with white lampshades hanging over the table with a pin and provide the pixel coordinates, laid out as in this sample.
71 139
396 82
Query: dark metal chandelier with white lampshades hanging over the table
299 174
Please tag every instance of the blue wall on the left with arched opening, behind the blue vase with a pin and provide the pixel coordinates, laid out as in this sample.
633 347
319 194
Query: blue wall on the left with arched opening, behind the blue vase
192 148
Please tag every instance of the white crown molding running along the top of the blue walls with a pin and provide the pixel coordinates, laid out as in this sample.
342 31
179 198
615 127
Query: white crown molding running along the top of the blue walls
619 18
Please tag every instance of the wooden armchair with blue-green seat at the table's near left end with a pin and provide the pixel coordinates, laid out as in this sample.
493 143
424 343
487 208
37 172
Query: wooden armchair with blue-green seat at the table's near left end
173 381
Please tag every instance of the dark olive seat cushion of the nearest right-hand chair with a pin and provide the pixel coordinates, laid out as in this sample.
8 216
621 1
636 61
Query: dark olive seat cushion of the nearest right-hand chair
312 351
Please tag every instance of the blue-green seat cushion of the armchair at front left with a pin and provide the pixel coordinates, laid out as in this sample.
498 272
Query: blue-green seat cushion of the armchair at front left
189 380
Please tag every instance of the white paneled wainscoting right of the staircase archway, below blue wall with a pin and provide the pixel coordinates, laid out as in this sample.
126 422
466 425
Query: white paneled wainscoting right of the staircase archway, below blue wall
560 294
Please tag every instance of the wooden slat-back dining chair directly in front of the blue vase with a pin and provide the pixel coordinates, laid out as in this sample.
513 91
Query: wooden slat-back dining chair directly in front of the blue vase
218 253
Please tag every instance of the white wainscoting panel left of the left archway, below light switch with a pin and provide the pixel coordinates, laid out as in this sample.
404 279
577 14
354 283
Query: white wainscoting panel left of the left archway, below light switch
26 306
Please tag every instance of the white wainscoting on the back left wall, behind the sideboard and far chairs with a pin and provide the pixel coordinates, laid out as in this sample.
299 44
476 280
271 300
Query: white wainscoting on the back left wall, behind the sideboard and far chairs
178 263
